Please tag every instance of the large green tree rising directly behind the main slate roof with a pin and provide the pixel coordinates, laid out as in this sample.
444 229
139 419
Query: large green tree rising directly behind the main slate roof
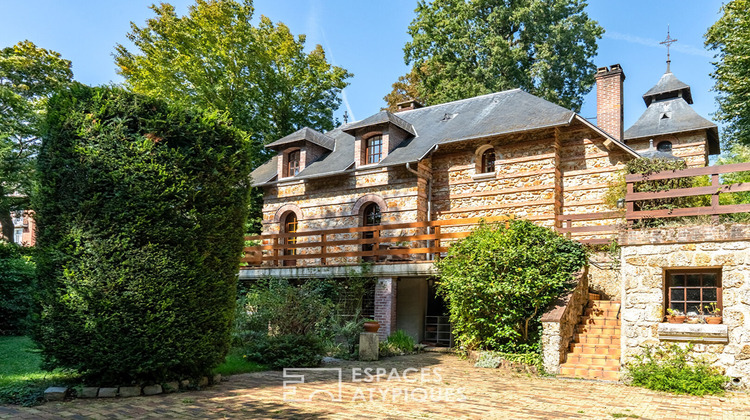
460 49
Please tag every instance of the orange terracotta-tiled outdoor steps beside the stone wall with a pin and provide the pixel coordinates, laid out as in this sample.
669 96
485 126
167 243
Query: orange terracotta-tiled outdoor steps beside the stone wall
595 350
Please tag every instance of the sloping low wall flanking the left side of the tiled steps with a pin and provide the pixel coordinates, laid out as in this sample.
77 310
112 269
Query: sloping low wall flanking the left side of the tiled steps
559 322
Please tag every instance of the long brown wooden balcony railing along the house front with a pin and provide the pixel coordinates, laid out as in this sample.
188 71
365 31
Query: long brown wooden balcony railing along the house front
425 241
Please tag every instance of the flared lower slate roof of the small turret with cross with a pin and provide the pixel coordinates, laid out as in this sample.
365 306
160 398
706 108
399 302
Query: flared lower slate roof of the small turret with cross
672 116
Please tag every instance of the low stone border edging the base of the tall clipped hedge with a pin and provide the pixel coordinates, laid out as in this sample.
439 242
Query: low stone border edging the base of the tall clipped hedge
56 393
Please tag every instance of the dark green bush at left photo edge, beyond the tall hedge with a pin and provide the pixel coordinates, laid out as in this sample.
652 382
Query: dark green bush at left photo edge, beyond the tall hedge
16 277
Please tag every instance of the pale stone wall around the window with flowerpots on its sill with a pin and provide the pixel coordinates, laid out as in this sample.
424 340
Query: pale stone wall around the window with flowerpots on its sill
647 253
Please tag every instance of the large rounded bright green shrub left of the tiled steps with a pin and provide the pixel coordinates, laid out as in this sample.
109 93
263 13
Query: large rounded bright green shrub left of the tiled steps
499 279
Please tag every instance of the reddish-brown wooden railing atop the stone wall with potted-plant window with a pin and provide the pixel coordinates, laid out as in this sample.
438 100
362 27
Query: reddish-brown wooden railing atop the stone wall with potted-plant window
714 190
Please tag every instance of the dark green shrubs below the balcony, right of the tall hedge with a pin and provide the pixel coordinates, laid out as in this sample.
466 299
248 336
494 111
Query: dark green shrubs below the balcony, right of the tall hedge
324 314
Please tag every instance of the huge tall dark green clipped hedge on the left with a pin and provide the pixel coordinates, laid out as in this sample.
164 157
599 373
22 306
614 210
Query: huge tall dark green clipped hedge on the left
141 210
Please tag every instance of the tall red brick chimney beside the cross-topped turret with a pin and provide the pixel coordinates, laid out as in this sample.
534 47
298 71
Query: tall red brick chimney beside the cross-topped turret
609 113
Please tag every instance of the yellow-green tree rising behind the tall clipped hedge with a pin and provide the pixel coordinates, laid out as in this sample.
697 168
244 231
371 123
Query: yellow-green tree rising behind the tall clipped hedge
216 59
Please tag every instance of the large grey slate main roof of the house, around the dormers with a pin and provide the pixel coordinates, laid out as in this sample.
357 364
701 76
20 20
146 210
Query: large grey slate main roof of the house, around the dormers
482 116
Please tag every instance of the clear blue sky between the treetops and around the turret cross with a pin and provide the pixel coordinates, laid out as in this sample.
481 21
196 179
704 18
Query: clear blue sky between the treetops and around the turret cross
367 38
